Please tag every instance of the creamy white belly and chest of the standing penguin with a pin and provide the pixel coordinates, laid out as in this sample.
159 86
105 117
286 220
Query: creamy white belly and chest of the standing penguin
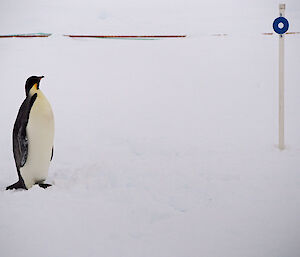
40 135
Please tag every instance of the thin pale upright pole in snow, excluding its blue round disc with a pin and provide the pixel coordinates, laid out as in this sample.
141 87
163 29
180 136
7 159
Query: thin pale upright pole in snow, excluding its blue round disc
281 83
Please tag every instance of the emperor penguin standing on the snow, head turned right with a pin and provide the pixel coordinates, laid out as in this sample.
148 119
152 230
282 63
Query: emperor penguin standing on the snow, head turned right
33 136
